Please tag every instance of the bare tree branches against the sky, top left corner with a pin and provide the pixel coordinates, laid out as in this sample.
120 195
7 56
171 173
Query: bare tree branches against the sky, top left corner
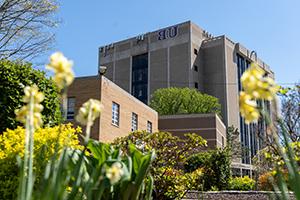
25 27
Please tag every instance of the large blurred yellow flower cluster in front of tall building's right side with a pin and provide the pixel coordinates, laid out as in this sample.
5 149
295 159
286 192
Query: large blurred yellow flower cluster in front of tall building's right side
255 84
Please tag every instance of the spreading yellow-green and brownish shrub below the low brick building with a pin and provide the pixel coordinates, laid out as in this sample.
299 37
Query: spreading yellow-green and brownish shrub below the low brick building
171 150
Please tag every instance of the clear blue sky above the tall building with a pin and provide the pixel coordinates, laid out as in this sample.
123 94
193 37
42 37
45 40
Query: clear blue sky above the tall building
270 27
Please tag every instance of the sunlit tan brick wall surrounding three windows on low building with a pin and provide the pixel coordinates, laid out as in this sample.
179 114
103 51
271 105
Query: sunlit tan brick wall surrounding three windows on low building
110 92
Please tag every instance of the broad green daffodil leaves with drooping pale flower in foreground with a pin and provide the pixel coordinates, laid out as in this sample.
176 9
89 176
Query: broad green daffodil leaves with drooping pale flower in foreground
104 174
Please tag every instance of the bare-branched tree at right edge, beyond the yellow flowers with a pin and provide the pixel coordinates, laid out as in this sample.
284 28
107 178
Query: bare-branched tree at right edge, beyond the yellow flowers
290 111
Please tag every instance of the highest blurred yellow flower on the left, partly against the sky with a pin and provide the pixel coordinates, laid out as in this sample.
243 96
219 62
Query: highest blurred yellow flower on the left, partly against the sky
62 68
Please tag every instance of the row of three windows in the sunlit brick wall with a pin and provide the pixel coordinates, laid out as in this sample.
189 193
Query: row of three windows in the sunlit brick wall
134 118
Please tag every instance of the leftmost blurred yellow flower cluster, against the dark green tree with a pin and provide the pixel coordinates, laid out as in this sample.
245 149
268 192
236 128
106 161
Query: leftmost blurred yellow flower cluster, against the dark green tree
34 97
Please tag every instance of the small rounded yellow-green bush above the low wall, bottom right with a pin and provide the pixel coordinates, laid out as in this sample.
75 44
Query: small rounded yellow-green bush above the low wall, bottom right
242 183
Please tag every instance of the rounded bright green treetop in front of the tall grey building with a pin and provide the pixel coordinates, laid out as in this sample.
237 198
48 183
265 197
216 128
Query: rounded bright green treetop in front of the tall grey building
170 101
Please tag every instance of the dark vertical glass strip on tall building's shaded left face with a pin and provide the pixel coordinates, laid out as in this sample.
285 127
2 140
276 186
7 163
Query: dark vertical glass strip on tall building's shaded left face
139 88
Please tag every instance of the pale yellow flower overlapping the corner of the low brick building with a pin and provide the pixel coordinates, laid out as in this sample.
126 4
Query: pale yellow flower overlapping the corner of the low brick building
93 108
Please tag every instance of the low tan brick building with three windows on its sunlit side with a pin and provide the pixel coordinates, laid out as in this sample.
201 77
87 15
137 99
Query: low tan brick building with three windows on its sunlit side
121 114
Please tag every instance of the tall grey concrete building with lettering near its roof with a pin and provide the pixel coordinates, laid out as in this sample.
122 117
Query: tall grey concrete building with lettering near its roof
184 55
